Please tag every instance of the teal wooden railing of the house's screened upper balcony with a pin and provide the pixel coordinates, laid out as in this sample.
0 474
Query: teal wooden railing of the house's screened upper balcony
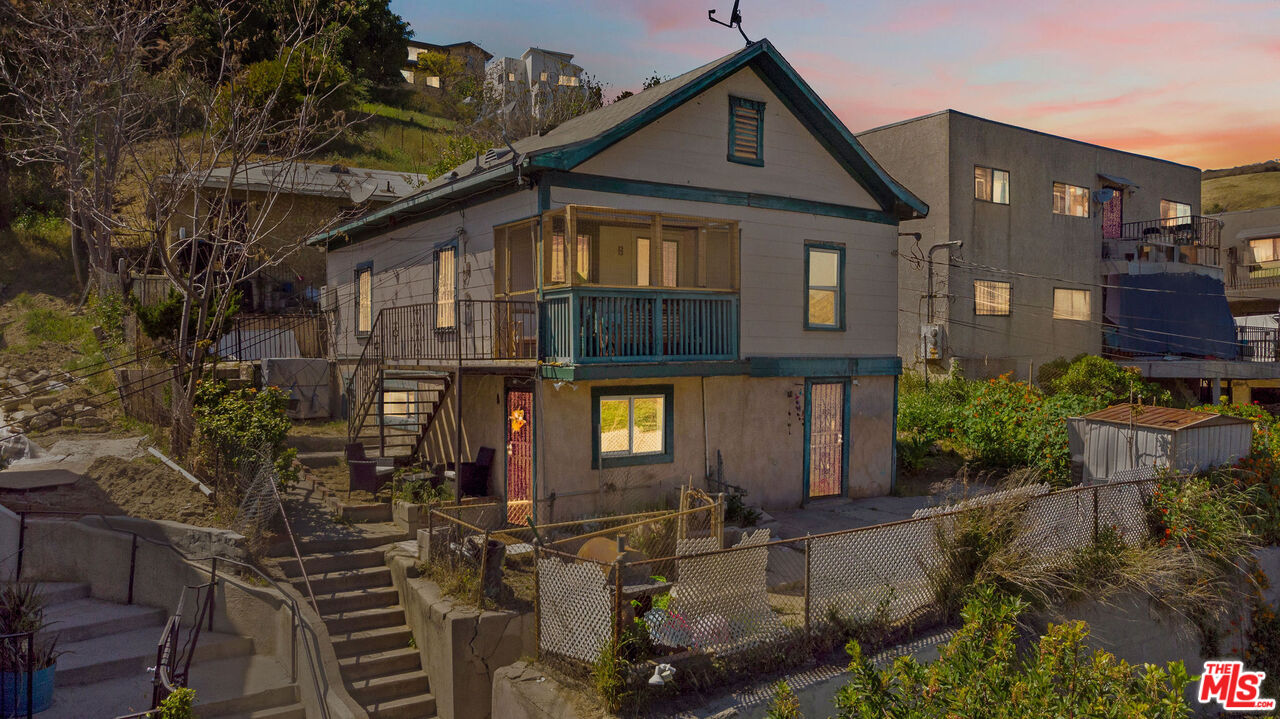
588 326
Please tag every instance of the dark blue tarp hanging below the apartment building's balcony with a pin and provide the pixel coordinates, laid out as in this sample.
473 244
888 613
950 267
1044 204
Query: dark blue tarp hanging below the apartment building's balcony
1171 314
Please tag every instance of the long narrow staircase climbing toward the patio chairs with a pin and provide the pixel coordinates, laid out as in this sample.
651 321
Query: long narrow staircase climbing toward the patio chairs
355 597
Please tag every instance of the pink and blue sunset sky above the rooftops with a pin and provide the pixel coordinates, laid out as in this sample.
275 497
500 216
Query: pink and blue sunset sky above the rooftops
1192 83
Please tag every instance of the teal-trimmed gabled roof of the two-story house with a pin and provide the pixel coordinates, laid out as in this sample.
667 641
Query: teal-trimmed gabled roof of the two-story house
578 140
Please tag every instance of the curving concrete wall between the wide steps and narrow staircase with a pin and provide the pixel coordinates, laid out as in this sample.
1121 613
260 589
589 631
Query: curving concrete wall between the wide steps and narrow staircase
61 551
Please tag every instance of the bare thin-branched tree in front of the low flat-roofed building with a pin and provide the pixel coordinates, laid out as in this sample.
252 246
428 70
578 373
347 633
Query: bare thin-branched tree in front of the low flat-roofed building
221 122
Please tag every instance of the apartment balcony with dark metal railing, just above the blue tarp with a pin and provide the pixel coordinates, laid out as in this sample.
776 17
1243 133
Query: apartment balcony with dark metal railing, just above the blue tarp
1192 241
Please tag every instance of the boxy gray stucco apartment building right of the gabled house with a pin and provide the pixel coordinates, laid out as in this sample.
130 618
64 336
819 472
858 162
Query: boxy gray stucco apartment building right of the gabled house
1062 248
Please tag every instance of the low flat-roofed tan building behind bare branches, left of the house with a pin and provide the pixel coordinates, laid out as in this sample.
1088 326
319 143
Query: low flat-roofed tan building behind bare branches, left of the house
287 203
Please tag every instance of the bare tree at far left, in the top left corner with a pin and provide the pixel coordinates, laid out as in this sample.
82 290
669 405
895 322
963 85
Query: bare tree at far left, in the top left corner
76 77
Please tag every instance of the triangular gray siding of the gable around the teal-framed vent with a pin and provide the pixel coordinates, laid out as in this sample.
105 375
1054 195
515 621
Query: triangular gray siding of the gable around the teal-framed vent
691 146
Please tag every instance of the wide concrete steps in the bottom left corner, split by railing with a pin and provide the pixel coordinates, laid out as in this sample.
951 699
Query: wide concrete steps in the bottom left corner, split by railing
108 649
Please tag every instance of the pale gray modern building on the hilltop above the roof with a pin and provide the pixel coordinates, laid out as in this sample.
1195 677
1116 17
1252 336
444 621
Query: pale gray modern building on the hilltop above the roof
534 80
